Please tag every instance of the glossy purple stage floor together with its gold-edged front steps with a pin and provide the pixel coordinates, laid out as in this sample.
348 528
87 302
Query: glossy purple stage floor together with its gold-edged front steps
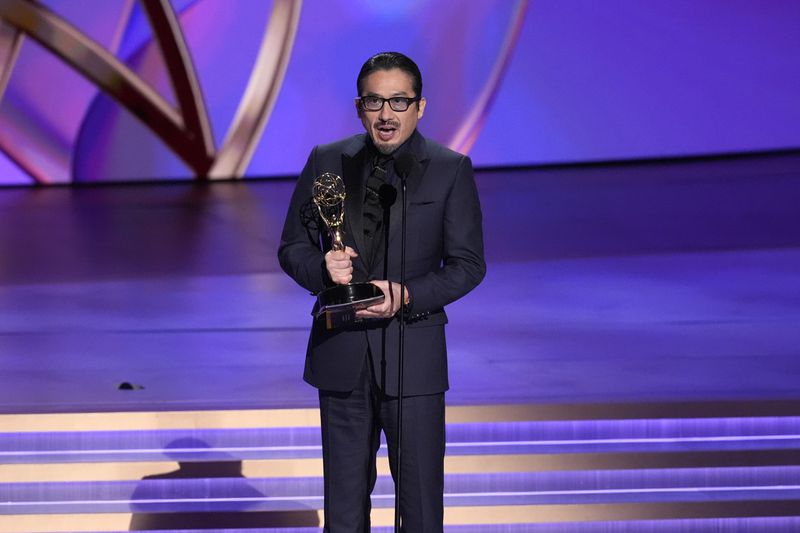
630 364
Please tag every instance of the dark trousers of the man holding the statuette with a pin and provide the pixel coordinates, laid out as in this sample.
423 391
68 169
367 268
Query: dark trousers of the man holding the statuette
351 426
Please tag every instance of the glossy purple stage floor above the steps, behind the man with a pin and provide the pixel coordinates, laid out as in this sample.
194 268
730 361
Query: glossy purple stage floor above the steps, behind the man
655 282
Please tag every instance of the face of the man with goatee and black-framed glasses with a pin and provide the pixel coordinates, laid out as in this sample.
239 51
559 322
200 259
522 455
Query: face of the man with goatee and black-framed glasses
387 128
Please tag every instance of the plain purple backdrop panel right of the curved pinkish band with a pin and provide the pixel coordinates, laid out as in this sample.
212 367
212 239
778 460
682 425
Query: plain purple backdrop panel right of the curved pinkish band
627 79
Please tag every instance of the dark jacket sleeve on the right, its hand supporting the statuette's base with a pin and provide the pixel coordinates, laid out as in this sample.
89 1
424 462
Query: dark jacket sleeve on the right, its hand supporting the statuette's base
462 264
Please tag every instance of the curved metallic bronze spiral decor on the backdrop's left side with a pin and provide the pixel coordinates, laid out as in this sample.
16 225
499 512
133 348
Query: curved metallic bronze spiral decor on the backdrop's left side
184 128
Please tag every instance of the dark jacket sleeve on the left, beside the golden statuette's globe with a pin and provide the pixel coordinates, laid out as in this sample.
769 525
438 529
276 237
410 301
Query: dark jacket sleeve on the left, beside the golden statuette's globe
300 252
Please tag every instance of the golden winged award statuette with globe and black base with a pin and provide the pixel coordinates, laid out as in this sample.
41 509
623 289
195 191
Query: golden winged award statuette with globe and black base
340 303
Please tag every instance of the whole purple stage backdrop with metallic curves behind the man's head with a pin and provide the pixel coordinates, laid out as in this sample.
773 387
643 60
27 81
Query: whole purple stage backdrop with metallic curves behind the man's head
511 82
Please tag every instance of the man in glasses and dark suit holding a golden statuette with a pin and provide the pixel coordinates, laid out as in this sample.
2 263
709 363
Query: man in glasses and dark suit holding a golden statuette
355 368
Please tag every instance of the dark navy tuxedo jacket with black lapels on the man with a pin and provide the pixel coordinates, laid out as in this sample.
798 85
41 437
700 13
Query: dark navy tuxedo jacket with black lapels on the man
444 261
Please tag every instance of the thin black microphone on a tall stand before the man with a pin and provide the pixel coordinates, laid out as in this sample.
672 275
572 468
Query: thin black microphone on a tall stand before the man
405 165
